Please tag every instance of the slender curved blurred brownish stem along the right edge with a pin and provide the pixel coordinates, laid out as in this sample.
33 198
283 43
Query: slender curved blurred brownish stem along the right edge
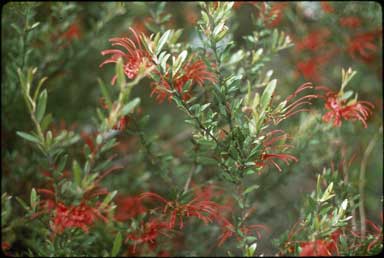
363 168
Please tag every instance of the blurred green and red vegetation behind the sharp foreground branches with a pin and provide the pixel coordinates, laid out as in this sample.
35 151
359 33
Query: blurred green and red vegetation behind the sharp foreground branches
65 45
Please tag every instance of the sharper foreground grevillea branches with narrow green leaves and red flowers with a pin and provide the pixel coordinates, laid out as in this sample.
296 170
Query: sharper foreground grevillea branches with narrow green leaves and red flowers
237 119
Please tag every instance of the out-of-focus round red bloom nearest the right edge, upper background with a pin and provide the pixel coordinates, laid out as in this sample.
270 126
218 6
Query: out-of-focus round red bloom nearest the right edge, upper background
362 46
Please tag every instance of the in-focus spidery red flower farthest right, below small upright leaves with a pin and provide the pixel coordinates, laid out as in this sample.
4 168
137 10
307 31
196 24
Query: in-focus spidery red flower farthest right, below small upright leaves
339 109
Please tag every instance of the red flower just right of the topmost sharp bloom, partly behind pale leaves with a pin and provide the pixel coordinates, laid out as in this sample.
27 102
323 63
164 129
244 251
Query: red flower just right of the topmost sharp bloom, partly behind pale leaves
196 71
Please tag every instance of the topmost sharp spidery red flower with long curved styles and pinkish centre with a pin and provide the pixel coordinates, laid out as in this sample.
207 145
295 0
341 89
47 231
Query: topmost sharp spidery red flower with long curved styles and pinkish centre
132 59
